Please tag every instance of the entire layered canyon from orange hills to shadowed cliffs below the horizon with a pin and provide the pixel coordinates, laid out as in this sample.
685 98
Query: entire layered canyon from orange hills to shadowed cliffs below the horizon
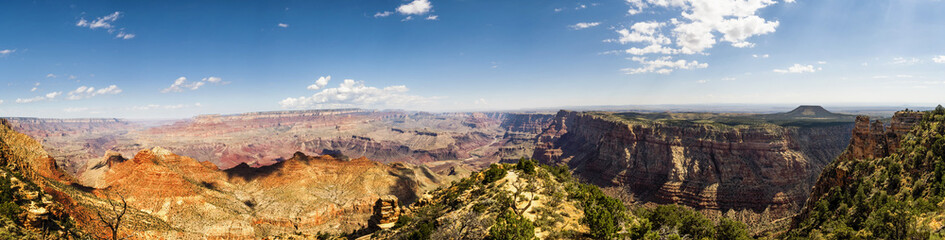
305 173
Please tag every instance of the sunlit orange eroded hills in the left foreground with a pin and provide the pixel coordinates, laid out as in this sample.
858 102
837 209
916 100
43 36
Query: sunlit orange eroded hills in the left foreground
171 196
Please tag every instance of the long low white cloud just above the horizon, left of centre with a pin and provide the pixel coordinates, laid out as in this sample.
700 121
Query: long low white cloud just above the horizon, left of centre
351 93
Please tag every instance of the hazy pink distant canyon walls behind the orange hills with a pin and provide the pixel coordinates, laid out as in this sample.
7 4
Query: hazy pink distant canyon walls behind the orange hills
473 140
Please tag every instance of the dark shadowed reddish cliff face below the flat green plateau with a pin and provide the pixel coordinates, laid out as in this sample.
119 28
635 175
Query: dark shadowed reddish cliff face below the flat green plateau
759 168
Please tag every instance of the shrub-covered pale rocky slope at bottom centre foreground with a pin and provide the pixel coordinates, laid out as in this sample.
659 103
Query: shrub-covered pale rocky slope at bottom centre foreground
531 201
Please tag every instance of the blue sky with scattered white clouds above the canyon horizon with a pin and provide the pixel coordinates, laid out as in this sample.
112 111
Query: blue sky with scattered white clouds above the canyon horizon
177 59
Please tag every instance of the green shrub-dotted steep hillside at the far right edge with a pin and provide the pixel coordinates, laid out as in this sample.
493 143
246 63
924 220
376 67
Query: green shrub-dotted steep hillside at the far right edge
889 184
